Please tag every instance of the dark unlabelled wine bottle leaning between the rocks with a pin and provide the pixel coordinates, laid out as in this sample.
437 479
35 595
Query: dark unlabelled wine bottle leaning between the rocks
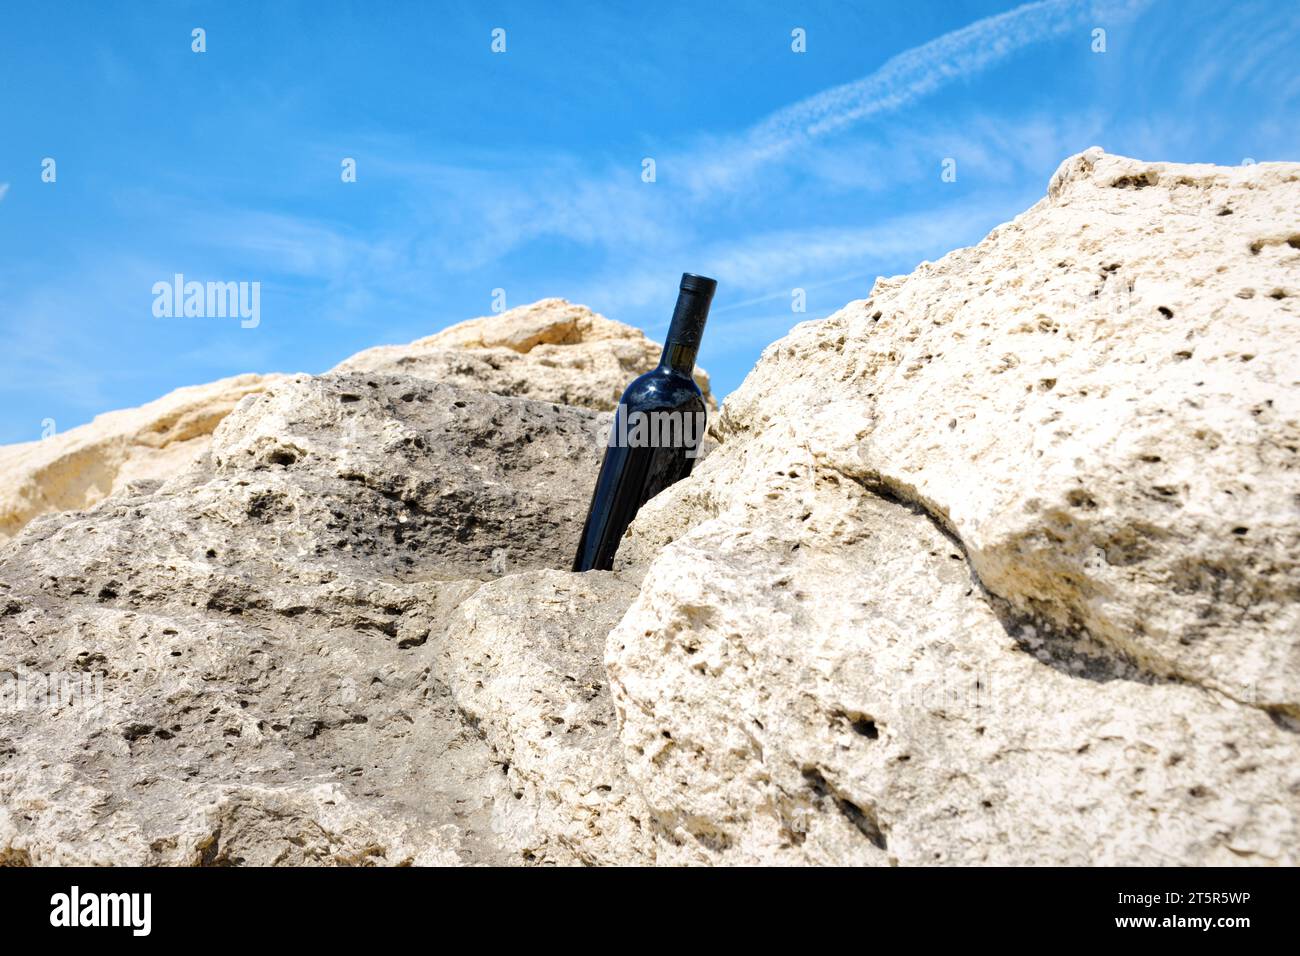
657 432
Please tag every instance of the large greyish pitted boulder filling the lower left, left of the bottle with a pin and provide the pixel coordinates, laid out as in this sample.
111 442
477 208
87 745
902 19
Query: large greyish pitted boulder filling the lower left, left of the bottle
267 635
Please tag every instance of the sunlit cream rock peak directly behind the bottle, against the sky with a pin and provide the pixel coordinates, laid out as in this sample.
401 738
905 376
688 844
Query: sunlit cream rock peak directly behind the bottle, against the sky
552 351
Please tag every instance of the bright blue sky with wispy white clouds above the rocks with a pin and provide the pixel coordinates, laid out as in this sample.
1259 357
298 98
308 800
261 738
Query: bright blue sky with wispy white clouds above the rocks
523 171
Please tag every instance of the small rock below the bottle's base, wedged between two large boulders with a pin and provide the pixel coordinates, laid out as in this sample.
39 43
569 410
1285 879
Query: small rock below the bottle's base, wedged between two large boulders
525 660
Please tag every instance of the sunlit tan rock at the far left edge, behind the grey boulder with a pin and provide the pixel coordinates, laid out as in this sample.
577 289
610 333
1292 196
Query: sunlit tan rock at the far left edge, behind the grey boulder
80 468
